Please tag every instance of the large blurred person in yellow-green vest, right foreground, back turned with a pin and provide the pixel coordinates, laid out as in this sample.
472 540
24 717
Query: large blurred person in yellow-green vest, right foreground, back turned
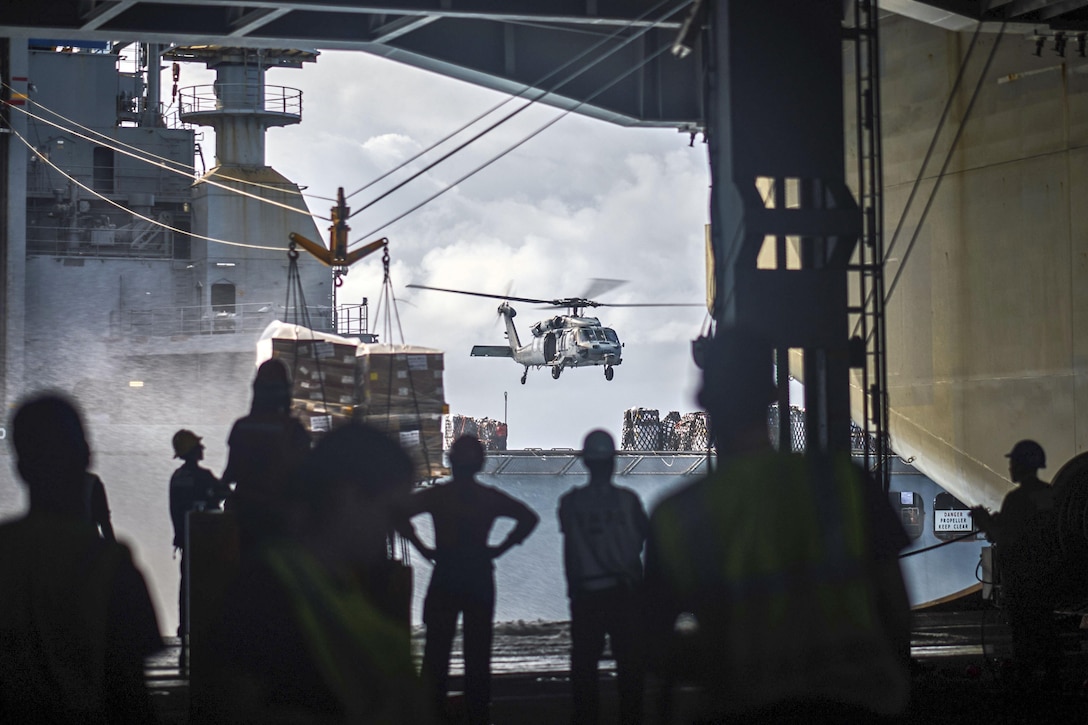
781 569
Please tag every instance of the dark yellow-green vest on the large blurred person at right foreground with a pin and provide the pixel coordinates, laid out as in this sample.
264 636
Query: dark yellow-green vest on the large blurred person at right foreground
772 557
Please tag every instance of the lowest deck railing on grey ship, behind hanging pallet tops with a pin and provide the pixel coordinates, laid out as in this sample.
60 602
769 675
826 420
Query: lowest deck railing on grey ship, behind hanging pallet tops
221 320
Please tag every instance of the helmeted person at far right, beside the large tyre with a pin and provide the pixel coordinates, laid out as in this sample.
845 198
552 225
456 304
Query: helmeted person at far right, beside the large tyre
1018 533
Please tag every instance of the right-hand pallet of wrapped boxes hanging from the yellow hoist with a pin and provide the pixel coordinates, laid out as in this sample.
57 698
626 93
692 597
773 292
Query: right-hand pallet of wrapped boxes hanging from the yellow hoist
400 391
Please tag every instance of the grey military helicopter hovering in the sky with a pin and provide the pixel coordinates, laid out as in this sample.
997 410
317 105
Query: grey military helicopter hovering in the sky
563 341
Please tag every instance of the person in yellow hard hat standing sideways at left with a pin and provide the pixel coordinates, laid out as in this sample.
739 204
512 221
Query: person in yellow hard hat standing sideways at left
192 488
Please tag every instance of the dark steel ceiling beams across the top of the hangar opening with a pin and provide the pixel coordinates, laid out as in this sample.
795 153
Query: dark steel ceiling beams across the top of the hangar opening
500 44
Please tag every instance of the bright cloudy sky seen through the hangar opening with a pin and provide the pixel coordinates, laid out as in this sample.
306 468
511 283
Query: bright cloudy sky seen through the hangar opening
584 200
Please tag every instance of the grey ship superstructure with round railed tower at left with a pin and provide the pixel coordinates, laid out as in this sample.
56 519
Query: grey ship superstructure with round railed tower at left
146 287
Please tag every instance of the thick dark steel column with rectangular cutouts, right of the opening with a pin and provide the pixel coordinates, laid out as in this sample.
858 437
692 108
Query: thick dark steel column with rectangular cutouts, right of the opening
776 144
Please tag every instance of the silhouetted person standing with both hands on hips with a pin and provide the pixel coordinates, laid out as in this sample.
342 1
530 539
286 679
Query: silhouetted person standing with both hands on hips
464 583
